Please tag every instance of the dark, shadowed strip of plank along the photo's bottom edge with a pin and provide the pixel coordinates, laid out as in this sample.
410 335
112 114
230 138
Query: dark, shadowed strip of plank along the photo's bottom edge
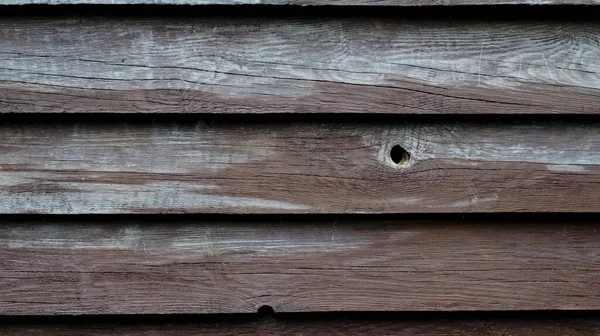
317 327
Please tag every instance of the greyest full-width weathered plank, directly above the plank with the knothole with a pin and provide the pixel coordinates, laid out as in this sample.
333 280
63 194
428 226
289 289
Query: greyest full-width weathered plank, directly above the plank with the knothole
306 65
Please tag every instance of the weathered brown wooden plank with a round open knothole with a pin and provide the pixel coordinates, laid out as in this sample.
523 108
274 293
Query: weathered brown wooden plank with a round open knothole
270 166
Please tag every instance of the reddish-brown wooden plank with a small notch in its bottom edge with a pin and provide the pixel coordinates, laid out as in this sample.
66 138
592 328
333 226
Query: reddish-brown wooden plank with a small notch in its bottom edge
176 266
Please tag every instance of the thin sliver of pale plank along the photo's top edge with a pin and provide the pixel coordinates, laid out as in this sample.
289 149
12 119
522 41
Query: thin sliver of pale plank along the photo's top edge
307 2
